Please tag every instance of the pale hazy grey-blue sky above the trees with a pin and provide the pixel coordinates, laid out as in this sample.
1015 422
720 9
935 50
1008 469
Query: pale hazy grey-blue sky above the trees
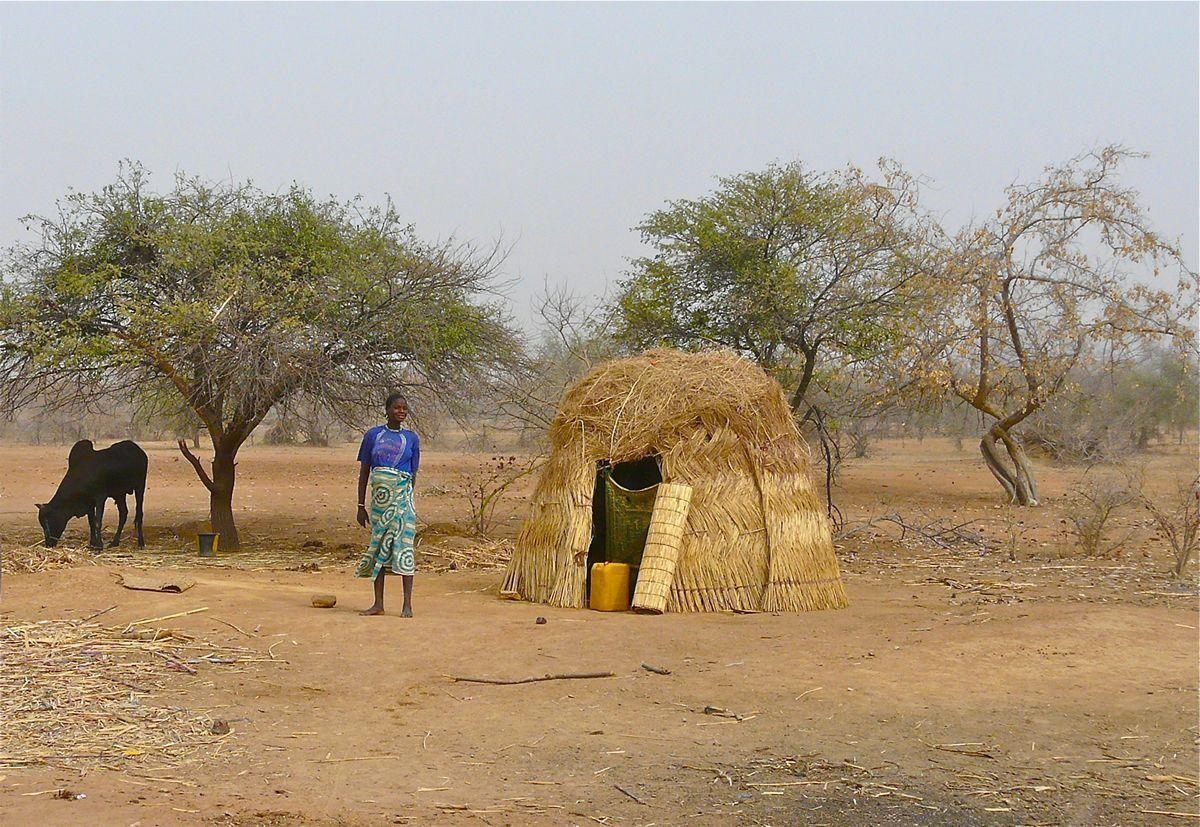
560 127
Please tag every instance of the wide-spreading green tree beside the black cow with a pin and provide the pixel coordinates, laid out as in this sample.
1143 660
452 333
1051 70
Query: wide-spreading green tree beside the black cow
232 301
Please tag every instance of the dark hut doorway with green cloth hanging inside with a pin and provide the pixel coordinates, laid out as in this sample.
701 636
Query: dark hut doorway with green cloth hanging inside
622 504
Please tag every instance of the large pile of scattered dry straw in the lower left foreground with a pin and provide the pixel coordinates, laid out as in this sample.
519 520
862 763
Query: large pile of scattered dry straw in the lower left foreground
76 694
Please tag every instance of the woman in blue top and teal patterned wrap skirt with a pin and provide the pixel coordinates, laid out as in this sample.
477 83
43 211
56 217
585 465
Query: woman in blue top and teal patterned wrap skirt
389 460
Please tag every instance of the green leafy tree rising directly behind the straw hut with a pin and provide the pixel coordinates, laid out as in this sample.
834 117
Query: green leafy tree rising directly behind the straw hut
813 277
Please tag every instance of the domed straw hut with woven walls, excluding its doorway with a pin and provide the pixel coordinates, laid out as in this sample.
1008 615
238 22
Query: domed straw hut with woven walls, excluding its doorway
755 537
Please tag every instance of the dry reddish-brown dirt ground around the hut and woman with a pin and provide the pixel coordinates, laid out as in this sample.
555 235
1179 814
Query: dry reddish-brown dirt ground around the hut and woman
985 674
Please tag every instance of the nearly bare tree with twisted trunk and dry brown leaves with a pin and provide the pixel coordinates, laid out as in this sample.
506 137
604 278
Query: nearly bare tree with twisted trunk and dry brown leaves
1045 286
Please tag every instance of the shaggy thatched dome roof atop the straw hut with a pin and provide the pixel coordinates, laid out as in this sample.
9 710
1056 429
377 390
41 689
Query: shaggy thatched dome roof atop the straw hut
641 405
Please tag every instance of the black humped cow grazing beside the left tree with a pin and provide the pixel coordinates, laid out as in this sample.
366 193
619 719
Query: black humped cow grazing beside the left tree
92 478
